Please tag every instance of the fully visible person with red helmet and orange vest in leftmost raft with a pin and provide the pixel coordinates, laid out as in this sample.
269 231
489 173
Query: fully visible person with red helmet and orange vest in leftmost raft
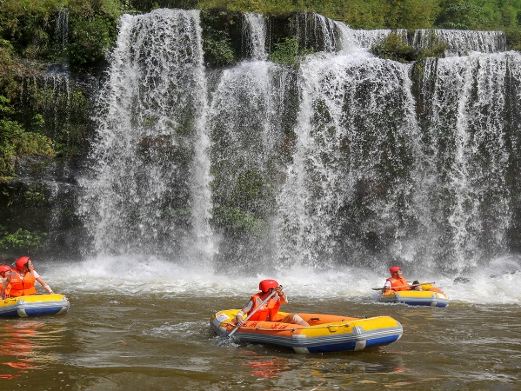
21 279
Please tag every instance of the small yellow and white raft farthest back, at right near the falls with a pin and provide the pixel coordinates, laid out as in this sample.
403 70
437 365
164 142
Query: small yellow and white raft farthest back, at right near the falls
428 296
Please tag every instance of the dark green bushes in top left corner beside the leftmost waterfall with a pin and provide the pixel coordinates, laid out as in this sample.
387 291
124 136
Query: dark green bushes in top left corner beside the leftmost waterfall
30 26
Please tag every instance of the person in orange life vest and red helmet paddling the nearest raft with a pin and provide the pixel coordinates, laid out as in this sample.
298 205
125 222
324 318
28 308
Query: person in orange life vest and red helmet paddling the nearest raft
269 311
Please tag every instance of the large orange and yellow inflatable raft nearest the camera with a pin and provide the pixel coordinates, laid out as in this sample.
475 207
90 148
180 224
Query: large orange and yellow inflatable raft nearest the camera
326 333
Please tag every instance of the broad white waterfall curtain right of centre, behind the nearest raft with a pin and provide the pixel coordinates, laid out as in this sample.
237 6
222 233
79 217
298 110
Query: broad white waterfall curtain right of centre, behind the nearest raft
350 181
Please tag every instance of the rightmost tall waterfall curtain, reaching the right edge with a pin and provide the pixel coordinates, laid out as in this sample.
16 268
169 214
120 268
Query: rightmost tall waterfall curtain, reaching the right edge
467 140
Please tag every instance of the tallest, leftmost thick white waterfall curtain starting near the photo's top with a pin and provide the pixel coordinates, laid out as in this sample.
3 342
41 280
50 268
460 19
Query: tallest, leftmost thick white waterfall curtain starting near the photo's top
148 191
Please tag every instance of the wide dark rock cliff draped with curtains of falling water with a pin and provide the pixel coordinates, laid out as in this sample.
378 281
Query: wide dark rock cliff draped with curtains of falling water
228 138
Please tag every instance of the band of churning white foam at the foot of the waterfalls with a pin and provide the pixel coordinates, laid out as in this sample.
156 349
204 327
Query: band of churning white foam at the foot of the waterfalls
497 283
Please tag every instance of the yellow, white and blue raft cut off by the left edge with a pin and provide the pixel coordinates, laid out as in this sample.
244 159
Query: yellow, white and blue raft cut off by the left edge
33 305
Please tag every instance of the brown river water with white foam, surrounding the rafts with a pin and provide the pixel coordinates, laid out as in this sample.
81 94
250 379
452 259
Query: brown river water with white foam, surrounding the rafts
138 324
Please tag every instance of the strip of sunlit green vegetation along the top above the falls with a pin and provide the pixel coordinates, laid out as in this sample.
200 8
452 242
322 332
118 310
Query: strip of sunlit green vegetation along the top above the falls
409 14
